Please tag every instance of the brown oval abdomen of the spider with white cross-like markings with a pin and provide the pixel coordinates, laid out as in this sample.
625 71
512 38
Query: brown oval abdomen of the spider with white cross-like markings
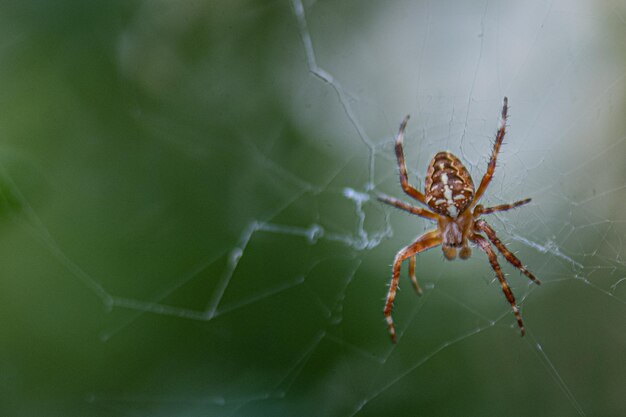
449 189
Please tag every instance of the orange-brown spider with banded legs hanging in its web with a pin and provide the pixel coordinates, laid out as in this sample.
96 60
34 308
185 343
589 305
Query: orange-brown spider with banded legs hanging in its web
449 193
